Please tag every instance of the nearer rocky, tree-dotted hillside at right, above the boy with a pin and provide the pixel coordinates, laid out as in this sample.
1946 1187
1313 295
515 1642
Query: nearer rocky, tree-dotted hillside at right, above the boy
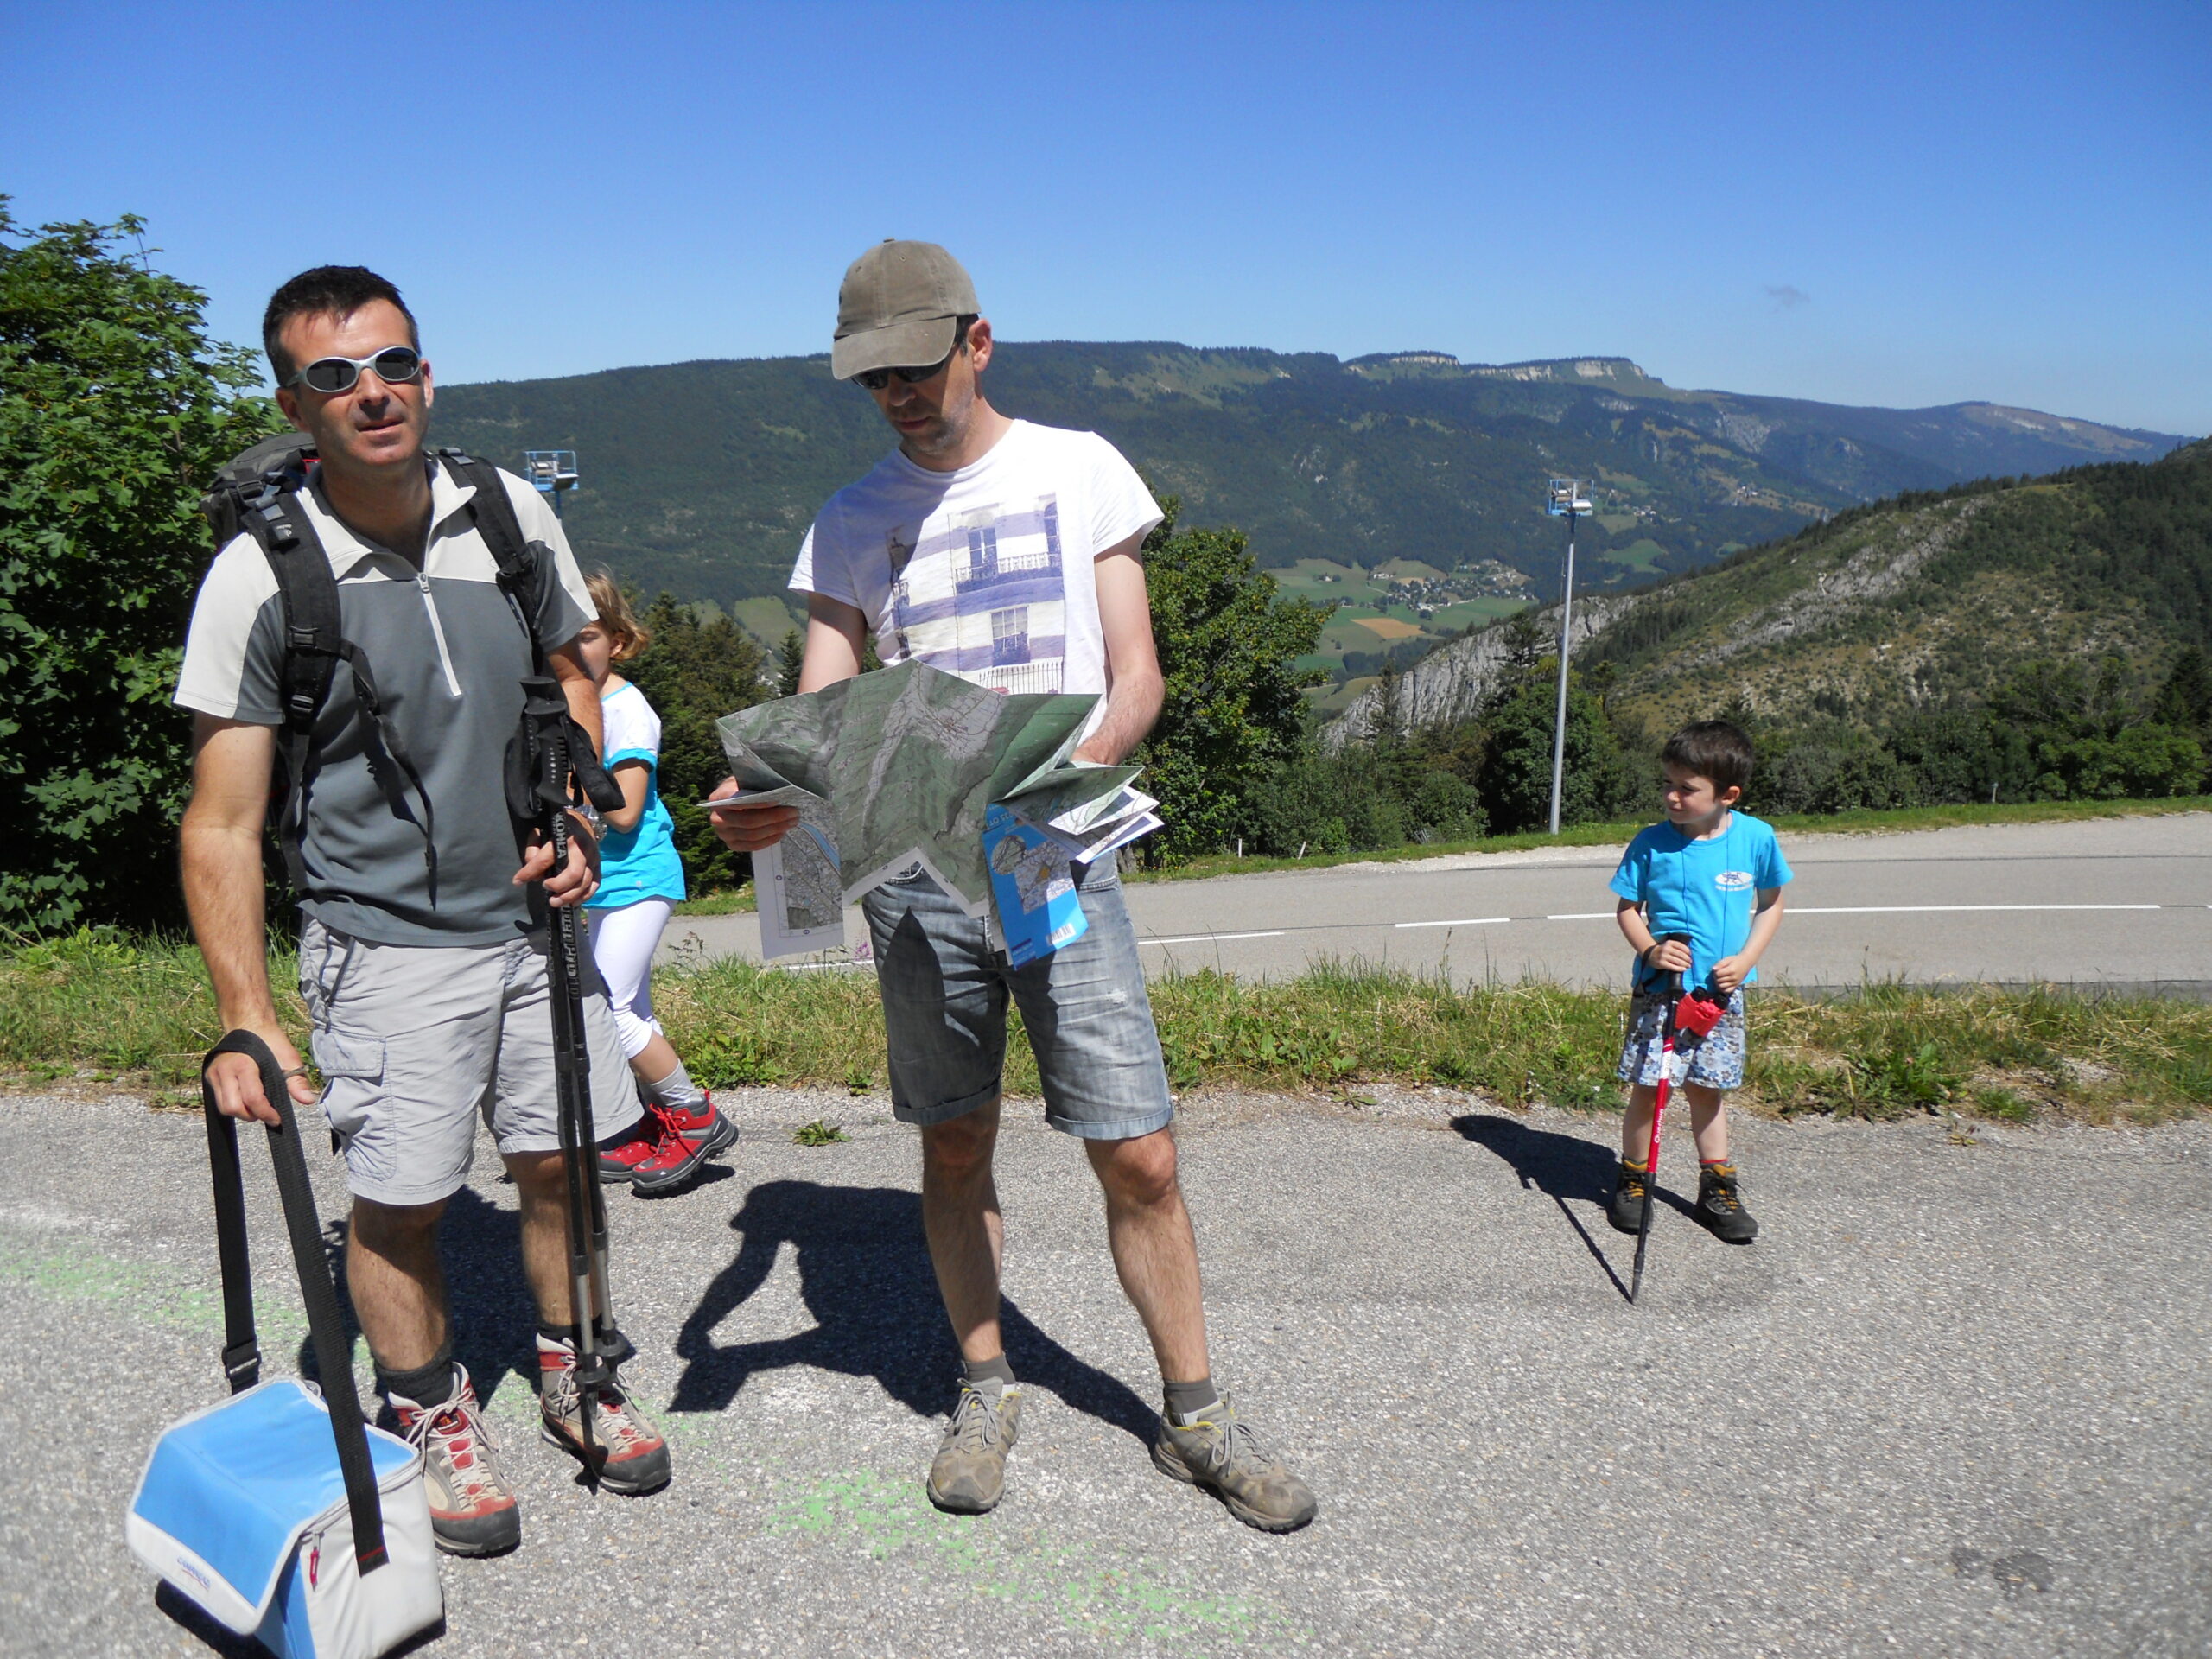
2007 640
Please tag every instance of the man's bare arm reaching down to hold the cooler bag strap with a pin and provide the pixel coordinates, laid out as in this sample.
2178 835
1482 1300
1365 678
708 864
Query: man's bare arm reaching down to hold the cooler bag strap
222 890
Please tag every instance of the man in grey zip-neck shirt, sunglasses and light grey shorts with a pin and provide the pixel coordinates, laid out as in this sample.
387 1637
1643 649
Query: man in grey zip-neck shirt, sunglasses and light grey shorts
424 977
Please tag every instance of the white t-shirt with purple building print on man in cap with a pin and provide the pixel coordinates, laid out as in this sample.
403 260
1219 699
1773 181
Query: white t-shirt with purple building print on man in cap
985 572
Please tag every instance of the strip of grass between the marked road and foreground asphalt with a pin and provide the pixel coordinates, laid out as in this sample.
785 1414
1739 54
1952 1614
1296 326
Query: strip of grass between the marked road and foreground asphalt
140 1012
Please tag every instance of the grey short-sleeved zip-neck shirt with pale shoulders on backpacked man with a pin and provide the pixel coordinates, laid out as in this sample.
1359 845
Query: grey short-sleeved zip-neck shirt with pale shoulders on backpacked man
450 656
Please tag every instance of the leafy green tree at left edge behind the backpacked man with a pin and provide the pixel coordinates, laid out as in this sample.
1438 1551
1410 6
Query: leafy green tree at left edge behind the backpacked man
114 415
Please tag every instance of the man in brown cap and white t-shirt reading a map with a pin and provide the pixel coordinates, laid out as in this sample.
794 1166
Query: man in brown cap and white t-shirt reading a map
1010 554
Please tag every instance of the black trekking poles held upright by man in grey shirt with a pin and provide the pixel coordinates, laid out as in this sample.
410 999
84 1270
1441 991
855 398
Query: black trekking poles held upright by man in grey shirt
596 1346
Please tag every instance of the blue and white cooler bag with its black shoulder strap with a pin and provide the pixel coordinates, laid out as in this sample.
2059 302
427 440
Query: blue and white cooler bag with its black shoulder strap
278 1512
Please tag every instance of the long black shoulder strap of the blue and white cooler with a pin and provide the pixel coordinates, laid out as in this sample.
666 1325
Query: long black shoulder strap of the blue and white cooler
304 1224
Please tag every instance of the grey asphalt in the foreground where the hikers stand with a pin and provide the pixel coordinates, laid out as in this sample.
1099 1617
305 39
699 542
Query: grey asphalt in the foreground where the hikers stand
1952 1401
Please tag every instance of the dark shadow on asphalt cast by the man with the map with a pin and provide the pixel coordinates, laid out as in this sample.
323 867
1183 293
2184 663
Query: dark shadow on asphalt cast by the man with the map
864 1271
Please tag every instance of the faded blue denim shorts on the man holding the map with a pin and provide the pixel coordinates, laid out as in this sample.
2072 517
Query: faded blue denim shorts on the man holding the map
1085 1010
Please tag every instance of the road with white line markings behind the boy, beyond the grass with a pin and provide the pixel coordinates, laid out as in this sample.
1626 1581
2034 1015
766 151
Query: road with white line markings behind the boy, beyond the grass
2105 901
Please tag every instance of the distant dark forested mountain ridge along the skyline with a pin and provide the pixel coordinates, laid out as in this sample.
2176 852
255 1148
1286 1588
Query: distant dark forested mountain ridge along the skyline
702 477
